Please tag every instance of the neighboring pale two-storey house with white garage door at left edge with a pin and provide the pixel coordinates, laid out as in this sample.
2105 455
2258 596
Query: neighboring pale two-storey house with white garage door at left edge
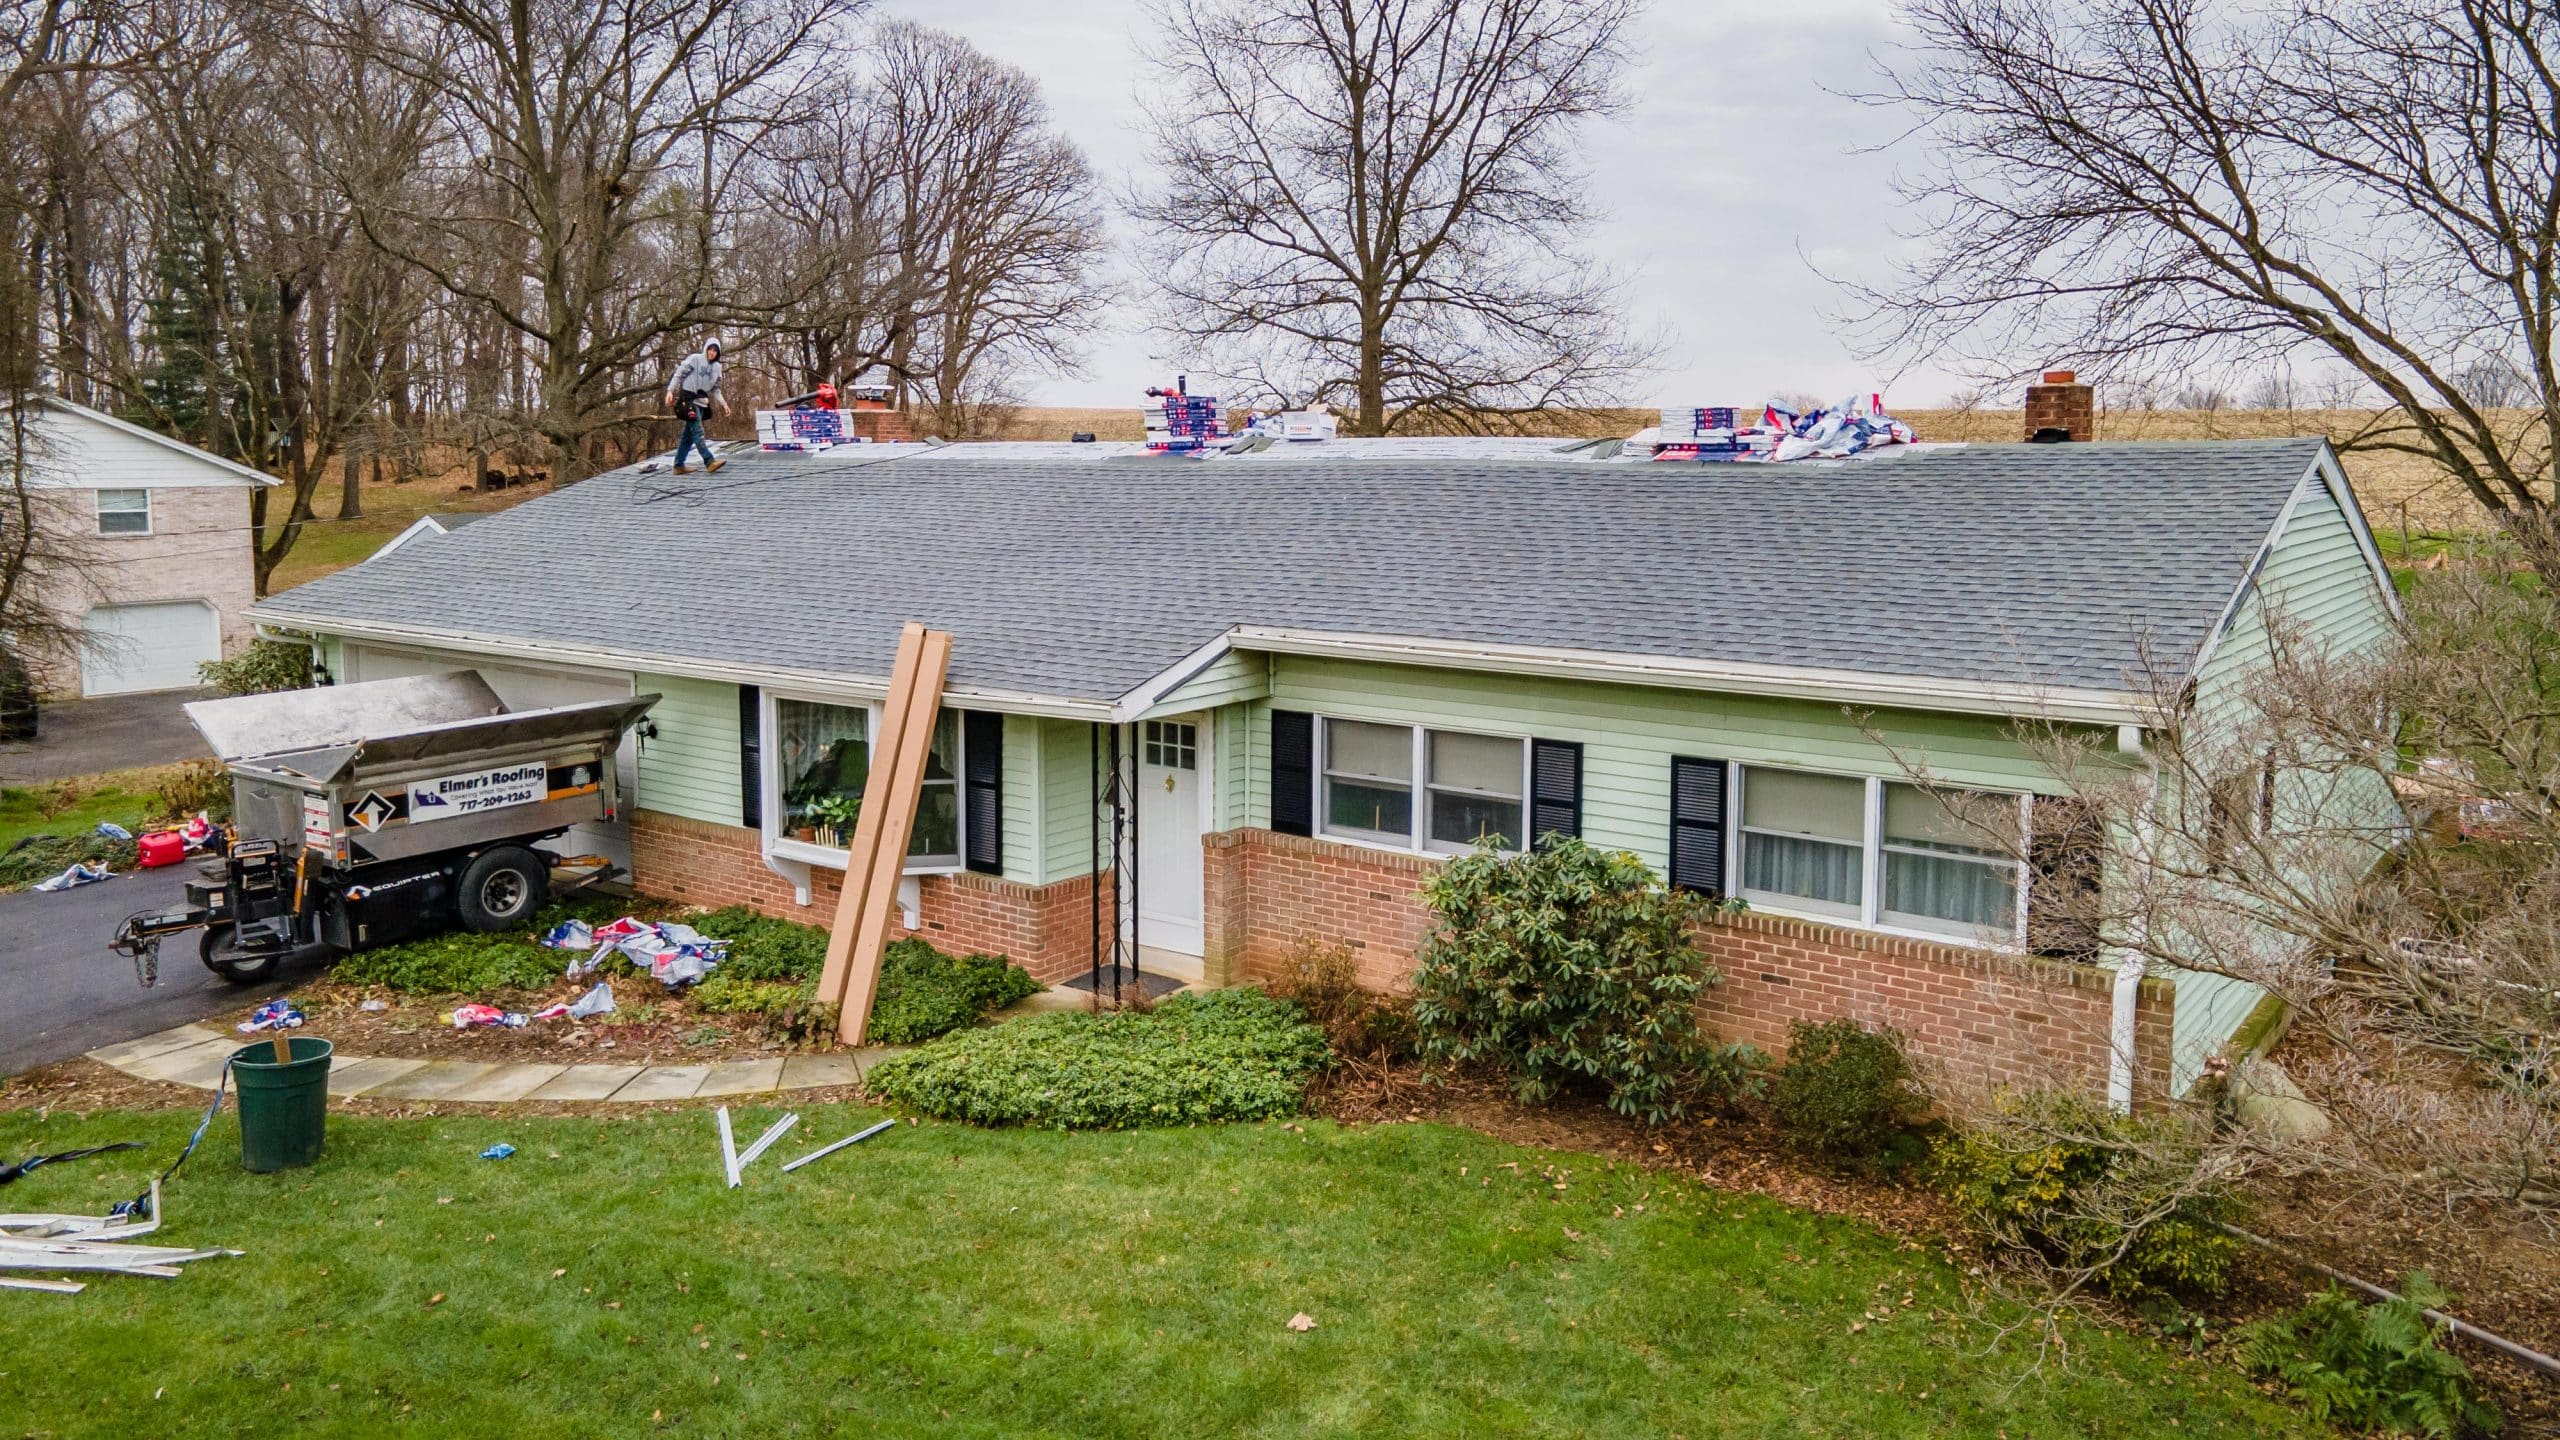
150 552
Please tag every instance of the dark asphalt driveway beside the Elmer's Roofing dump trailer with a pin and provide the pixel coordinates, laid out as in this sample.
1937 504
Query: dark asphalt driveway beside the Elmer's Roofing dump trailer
63 993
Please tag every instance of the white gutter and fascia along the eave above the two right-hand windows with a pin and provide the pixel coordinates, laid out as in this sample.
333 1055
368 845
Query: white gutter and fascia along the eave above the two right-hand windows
1793 683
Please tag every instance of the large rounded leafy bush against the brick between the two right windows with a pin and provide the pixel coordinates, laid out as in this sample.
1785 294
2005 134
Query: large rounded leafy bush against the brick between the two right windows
1571 965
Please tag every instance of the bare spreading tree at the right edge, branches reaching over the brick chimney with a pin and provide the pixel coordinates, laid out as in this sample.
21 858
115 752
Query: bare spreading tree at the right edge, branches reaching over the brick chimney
2198 183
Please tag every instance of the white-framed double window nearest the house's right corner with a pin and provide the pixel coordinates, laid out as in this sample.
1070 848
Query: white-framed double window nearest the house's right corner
1883 855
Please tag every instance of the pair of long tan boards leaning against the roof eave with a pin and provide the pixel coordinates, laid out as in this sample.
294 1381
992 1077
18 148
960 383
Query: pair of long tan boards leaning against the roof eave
890 814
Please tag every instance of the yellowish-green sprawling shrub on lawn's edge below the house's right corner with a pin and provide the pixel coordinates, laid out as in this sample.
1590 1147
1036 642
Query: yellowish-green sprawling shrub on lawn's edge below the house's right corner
2121 1200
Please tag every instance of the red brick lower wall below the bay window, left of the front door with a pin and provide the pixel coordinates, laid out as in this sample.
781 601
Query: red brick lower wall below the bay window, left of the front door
1038 926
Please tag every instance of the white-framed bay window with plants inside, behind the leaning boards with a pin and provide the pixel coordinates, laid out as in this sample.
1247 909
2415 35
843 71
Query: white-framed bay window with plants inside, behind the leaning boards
818 765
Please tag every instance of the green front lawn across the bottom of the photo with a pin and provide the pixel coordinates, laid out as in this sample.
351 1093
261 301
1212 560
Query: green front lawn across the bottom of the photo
966 1282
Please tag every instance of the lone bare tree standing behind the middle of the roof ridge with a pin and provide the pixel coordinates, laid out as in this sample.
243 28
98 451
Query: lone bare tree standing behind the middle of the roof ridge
1376 201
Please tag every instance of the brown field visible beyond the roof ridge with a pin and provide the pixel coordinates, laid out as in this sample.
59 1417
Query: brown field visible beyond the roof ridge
2397 491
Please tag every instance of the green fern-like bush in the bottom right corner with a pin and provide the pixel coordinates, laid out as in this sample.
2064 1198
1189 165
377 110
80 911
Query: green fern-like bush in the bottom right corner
2372 1367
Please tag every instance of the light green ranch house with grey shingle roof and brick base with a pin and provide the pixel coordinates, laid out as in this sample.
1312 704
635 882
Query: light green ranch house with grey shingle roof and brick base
1266 696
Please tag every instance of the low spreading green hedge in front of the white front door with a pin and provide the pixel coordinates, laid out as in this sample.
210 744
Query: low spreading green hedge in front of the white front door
1194 1060
